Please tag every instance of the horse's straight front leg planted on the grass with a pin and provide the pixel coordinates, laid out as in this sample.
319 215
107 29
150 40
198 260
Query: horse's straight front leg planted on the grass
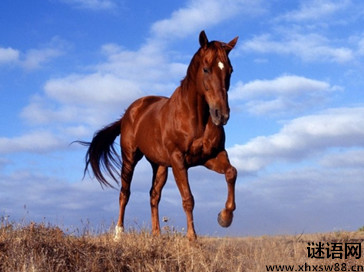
180 174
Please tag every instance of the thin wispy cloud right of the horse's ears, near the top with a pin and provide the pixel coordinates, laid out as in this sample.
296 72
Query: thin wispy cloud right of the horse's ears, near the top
309 47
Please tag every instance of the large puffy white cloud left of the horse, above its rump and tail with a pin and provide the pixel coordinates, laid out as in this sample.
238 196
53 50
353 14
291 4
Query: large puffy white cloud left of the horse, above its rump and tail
86 100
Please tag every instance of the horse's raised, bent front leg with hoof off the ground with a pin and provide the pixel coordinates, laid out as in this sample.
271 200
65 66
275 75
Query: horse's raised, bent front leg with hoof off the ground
221 164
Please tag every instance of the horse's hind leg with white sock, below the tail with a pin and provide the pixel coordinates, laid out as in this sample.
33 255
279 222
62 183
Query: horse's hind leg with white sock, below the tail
127 170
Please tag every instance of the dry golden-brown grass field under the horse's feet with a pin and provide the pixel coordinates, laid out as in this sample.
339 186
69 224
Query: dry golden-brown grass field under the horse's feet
40 247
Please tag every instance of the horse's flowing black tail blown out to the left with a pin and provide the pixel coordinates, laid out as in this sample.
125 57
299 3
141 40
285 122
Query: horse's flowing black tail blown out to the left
101 154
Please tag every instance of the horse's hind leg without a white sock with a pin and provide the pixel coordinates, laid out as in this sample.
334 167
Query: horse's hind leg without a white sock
160 174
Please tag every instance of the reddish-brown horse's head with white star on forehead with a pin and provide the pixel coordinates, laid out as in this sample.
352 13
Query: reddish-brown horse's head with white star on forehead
213 76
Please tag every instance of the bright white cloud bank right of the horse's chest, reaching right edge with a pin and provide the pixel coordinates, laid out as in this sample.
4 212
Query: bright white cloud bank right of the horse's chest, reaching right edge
302 137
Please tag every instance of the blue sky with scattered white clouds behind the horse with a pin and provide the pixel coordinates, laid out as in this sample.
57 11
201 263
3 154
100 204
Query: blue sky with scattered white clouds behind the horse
296 131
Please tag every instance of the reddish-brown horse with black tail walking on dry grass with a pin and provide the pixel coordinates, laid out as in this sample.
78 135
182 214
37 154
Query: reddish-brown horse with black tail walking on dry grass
182 131
